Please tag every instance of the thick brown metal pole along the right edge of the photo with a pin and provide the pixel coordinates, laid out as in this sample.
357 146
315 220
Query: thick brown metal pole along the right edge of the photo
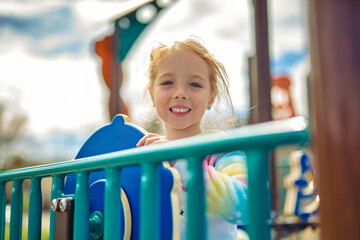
335 111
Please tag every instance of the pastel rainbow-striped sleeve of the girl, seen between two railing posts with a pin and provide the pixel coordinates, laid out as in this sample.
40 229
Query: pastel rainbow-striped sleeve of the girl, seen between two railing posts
226 187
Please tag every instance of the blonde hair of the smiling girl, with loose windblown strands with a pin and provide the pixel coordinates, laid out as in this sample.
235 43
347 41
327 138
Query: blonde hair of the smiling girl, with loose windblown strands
219 80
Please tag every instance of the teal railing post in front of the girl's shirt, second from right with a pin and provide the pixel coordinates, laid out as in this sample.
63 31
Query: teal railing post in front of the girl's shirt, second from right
196 221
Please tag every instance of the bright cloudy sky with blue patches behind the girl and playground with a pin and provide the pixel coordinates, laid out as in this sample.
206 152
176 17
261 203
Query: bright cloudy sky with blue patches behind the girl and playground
49 71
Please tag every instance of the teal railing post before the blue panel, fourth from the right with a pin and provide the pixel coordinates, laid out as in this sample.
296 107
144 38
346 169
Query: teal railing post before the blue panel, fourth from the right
112 229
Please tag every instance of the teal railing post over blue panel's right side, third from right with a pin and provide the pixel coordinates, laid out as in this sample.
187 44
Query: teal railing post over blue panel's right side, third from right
149 205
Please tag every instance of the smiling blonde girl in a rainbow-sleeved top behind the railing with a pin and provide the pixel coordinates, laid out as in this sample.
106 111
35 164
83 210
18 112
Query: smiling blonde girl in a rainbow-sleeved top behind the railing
184 81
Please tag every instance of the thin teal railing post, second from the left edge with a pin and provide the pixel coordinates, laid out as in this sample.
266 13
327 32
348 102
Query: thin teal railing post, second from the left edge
16 210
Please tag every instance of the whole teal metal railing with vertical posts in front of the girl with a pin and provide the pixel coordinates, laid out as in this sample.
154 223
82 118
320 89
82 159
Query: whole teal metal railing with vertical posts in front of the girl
256 140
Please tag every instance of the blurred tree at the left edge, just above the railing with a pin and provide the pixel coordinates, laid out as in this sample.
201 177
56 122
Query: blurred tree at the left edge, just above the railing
12 124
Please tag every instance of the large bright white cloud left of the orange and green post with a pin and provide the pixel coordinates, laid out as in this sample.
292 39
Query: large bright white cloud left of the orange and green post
60 92
